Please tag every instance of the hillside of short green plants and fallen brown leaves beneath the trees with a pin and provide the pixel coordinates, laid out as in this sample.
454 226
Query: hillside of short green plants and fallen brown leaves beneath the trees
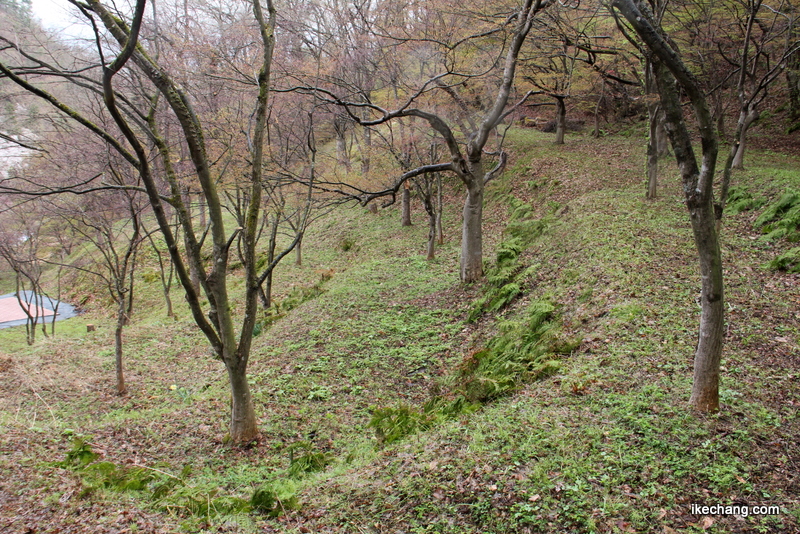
606 445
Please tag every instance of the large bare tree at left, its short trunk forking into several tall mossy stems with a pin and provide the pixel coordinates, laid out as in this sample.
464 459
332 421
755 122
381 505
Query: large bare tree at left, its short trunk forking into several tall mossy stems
146 106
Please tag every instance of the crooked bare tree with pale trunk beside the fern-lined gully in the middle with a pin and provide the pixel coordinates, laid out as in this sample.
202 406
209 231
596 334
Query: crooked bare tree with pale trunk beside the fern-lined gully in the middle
466 156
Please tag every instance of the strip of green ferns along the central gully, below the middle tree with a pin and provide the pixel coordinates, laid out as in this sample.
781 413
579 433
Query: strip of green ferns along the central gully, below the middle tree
524 349
